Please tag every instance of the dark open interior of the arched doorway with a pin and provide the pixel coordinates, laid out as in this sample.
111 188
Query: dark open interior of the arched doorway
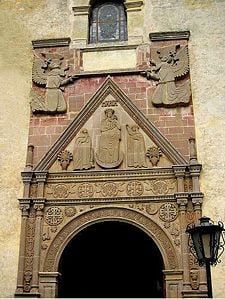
111 259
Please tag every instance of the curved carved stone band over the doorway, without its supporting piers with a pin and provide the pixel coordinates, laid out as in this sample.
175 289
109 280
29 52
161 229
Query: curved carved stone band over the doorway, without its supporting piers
111 213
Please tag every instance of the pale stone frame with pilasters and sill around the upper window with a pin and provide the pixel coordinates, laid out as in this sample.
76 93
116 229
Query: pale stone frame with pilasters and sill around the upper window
81 10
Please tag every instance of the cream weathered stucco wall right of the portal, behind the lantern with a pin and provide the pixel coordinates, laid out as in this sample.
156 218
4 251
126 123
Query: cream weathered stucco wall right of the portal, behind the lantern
205 20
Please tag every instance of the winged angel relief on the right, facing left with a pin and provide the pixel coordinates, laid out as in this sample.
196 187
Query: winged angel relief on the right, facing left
171 65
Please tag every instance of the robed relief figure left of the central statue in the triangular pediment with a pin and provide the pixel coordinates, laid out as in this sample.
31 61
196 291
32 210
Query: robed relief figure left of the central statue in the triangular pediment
83 153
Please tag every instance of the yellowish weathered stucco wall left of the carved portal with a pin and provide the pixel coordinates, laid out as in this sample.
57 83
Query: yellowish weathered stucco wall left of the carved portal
20 22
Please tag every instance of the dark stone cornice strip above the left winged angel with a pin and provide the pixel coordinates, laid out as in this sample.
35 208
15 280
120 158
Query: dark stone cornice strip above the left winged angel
53 42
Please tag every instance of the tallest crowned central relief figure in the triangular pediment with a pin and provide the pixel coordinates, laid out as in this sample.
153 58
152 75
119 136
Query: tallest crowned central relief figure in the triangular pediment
108 154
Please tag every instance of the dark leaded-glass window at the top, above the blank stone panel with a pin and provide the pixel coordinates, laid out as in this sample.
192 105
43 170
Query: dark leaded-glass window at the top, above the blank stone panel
108 22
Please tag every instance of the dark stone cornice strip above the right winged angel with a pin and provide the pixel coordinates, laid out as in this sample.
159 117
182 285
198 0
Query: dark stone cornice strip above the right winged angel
174 35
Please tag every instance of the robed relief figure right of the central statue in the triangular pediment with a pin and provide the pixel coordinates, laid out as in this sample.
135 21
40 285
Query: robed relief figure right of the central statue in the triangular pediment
136 151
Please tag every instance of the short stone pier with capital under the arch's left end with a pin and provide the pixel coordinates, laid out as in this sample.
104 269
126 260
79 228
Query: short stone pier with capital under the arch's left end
49 284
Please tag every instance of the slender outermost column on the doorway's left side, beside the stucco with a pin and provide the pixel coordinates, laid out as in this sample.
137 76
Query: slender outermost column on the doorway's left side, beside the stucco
24 207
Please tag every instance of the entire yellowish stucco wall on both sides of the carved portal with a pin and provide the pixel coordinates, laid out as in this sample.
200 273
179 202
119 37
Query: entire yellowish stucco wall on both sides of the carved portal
26 20
